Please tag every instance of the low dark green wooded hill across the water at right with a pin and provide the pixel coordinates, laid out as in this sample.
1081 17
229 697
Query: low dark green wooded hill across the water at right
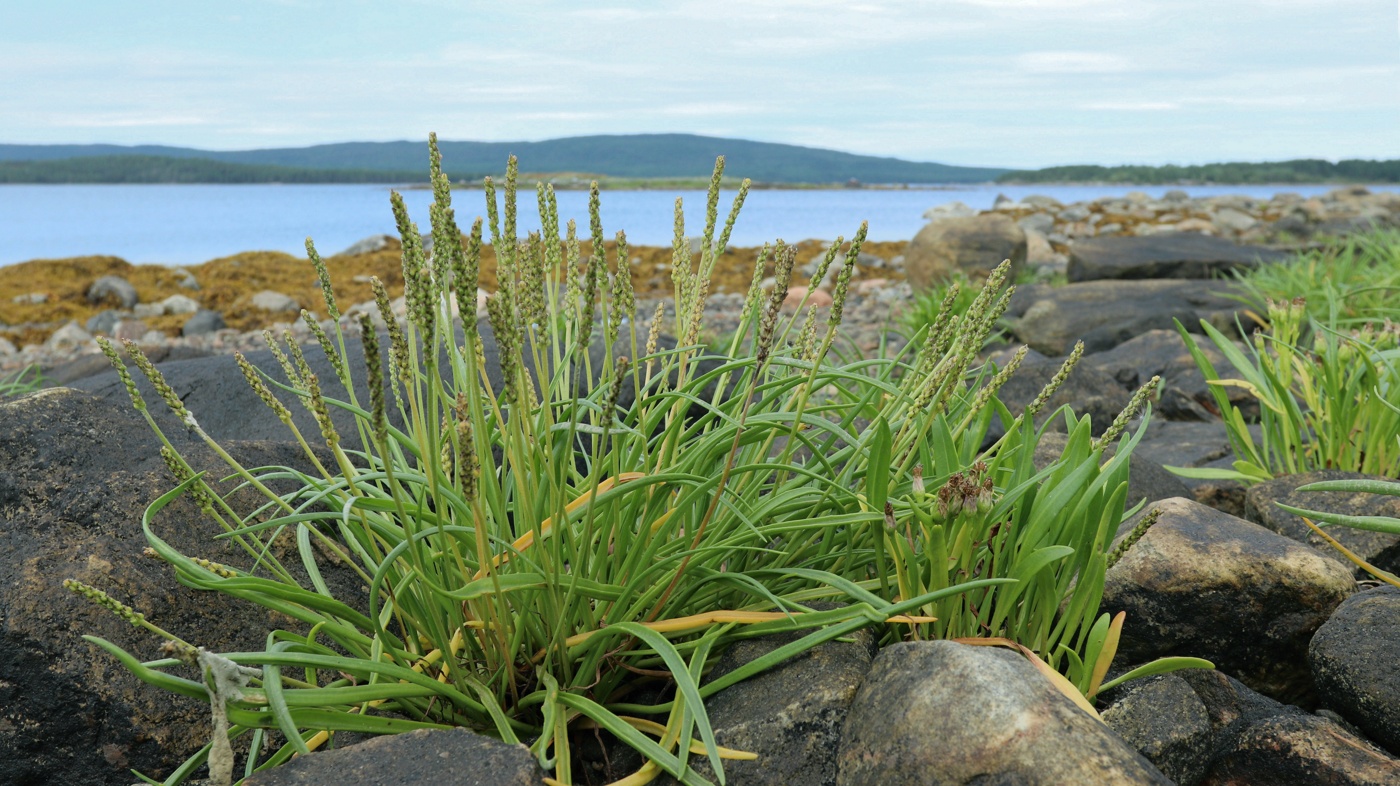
1298 172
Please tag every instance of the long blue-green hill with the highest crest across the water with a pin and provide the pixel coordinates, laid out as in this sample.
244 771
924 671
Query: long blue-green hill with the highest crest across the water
635 156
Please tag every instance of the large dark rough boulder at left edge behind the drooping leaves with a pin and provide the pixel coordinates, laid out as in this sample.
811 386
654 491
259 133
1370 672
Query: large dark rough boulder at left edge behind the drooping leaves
76 477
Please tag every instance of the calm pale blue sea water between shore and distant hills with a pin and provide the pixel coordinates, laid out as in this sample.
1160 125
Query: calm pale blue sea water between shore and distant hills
185 225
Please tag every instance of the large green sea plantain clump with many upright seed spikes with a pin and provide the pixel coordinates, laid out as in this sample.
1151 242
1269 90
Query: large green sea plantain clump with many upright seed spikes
562 547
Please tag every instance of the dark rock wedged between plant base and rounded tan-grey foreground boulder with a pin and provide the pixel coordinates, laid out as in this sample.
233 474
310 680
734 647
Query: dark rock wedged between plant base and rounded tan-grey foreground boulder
792 715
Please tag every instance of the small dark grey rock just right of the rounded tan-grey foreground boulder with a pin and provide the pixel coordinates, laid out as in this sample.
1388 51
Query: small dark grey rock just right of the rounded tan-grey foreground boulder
1167 722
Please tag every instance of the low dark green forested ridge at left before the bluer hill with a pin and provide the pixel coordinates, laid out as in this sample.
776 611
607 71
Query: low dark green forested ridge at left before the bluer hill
169 170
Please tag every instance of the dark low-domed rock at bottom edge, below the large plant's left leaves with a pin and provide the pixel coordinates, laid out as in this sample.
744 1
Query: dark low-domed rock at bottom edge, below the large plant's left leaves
415 759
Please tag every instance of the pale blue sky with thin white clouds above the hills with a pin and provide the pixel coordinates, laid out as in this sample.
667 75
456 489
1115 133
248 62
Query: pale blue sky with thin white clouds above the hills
1018 83
